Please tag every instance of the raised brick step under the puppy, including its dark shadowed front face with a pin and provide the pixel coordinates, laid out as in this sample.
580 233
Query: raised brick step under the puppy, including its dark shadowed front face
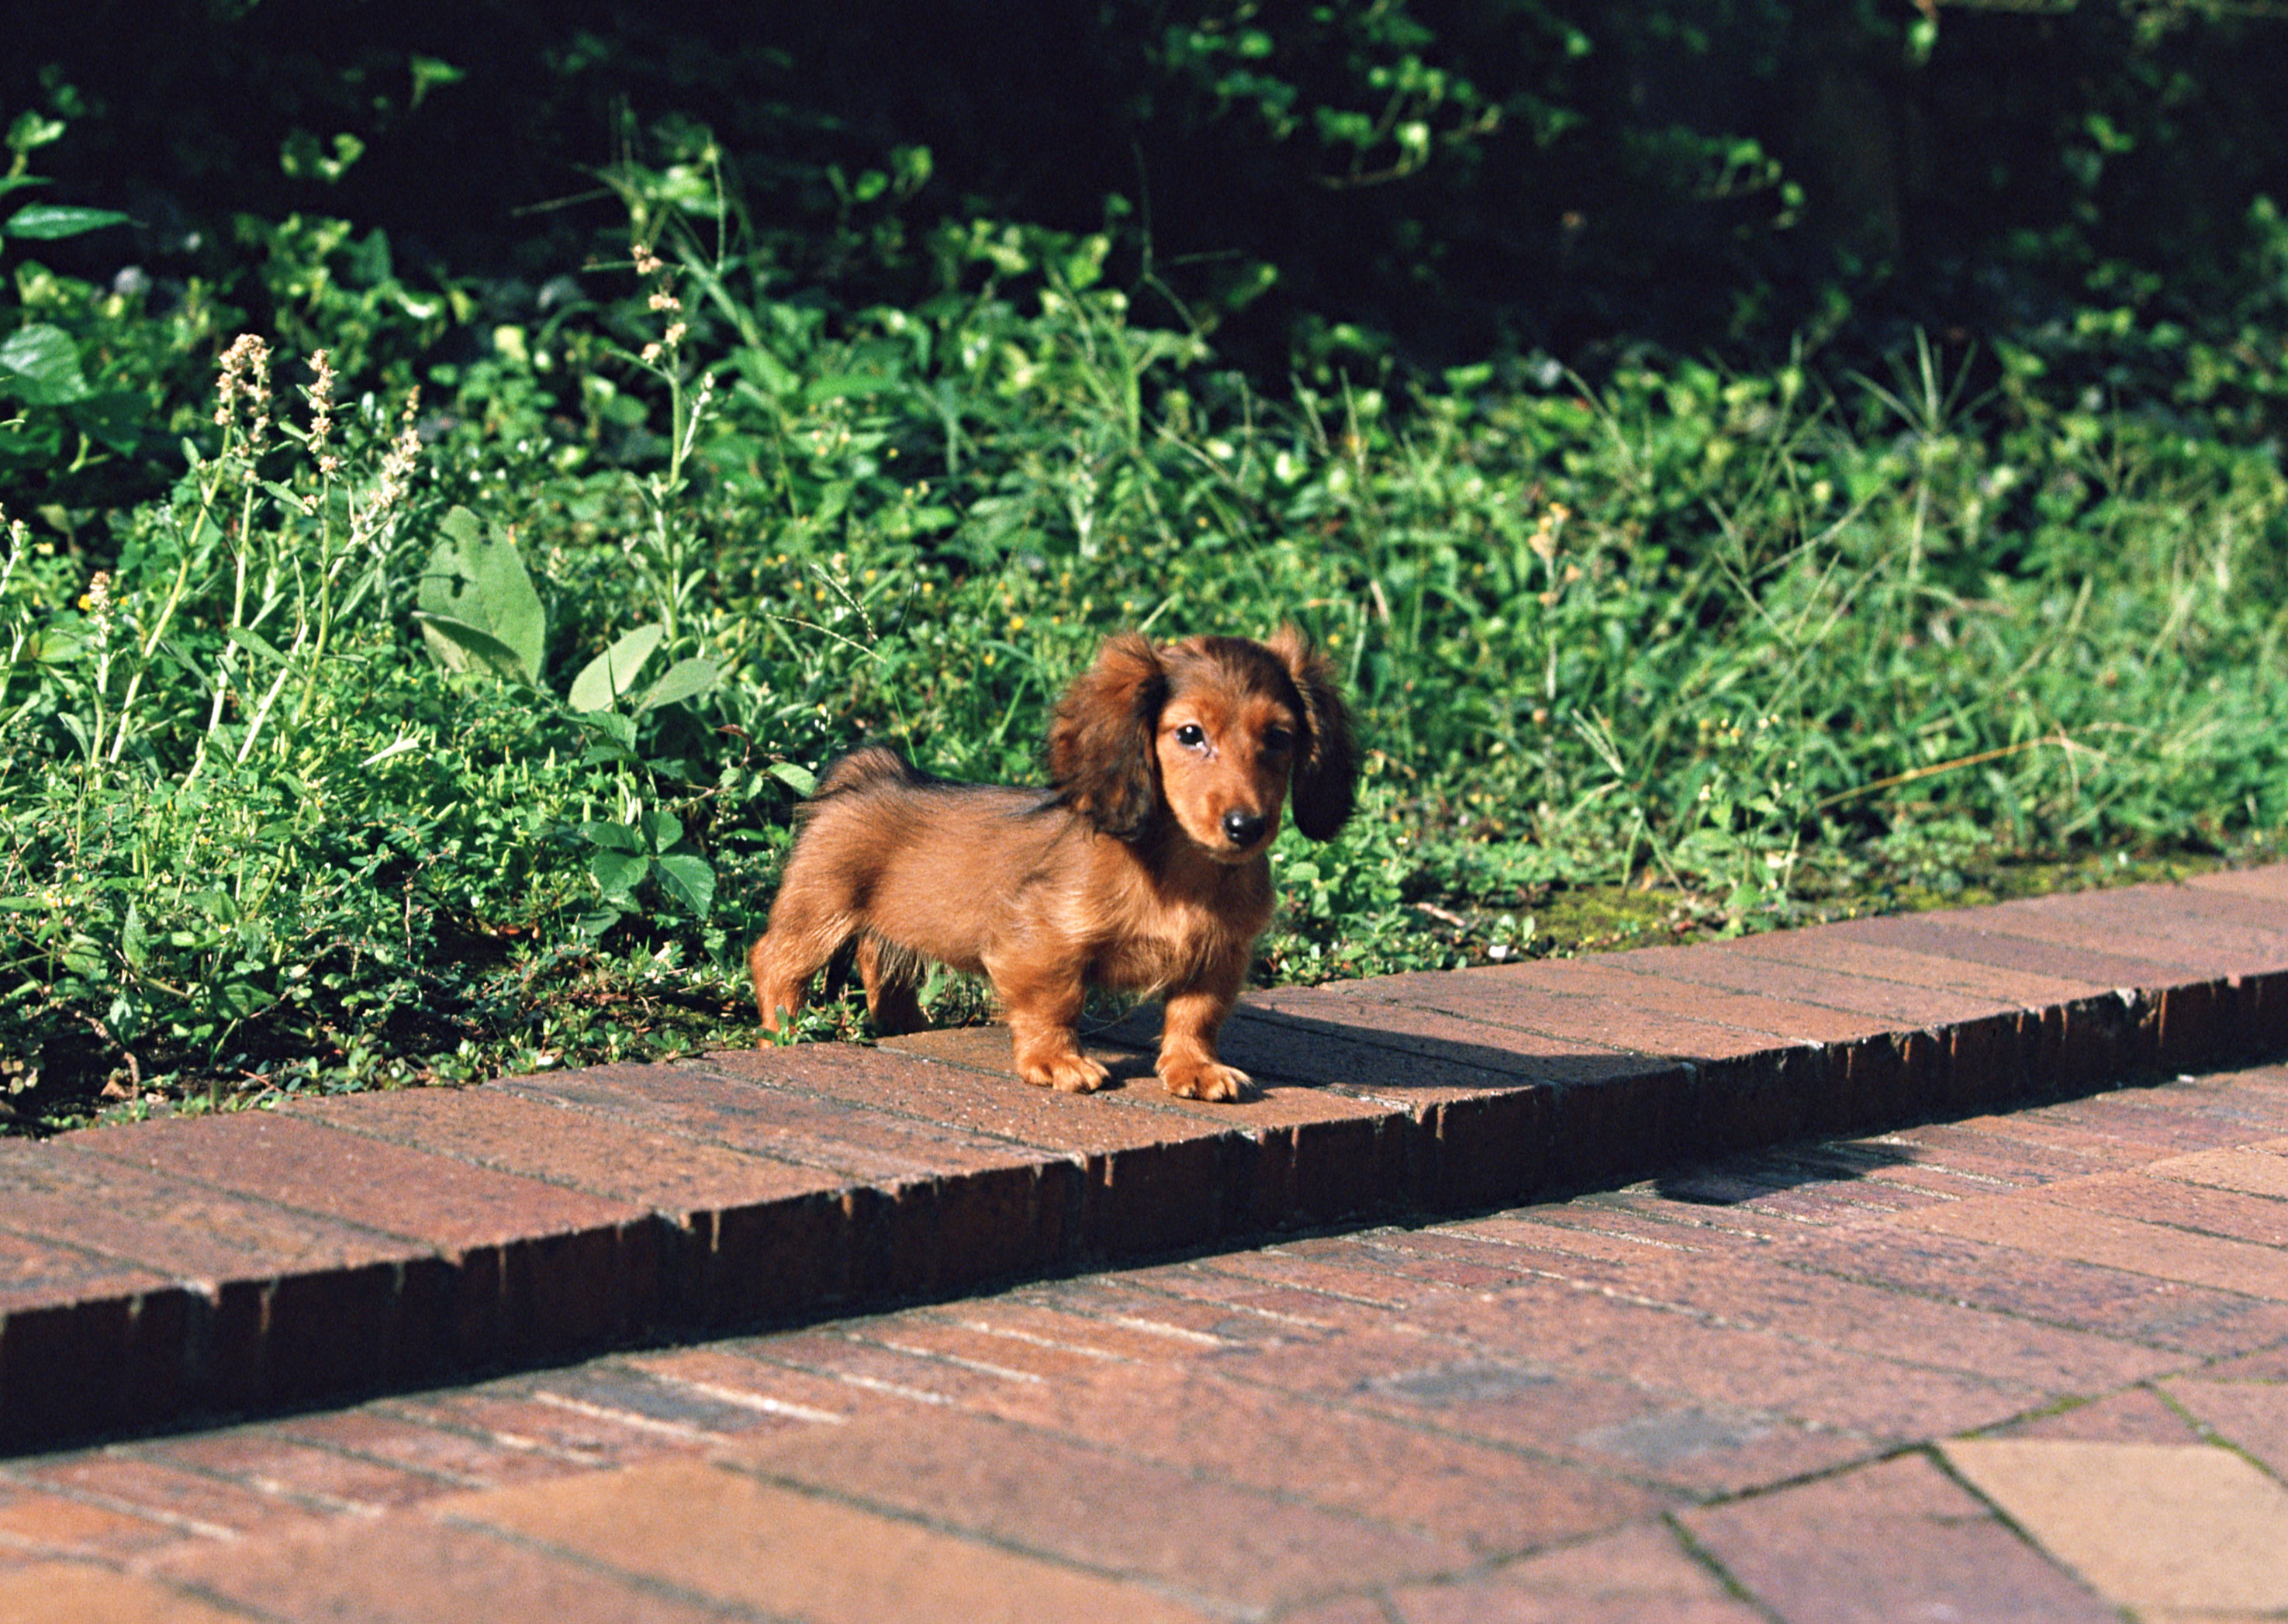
214 1266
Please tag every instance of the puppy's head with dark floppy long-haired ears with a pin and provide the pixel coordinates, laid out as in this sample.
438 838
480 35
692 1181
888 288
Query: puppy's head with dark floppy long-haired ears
1211 735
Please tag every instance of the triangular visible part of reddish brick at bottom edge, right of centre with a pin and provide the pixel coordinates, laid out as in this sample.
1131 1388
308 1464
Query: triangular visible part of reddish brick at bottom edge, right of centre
1630 1577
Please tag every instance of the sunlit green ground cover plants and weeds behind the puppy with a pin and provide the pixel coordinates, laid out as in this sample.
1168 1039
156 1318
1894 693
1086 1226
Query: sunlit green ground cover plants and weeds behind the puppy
445 710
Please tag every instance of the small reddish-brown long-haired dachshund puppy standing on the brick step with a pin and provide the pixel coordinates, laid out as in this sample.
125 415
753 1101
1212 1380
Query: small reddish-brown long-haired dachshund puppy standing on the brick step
1143 868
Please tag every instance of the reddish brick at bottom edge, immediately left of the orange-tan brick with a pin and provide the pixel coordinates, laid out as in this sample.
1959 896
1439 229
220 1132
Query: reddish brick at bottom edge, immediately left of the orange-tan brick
411 1570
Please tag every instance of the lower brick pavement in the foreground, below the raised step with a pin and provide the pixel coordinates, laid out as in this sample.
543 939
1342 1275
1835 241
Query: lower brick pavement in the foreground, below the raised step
2010 1367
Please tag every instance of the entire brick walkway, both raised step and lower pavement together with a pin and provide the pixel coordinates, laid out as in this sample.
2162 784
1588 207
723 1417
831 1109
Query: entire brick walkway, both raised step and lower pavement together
2015 1362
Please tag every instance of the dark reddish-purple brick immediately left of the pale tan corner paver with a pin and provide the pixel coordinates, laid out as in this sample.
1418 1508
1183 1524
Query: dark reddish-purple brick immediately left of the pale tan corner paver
1896 1541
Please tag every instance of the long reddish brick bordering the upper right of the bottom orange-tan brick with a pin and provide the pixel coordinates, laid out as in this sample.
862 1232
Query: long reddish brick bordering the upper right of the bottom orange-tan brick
1095 1508
